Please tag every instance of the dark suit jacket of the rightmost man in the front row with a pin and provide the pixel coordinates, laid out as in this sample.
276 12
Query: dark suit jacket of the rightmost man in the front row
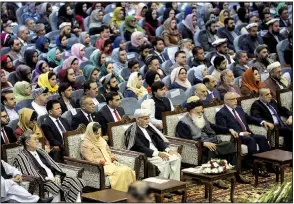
259 110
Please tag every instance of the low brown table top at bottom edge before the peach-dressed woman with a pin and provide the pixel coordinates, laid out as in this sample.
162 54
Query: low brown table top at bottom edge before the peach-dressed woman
105 196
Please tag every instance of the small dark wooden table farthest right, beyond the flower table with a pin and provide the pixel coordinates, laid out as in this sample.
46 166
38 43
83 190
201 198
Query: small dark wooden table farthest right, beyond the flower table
277 157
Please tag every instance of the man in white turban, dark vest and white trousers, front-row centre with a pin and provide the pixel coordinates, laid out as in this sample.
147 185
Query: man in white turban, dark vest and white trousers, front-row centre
143 137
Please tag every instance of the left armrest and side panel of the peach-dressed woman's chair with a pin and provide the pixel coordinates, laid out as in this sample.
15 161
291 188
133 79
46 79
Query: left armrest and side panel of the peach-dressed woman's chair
93 174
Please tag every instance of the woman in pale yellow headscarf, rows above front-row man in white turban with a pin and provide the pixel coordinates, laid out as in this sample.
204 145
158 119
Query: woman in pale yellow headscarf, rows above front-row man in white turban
135 86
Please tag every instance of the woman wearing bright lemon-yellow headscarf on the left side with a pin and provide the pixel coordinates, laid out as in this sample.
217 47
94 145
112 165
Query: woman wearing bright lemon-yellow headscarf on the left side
48 80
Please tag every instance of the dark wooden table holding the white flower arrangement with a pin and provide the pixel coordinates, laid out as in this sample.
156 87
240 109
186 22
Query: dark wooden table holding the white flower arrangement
209 179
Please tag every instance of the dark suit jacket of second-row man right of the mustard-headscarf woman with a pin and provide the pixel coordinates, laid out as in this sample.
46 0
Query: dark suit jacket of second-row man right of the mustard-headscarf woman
52 133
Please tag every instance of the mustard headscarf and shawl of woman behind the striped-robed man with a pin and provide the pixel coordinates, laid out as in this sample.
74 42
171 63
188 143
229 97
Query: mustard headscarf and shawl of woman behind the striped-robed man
25 115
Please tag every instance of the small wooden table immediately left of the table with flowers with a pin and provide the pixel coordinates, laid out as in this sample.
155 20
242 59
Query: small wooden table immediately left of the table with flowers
171 185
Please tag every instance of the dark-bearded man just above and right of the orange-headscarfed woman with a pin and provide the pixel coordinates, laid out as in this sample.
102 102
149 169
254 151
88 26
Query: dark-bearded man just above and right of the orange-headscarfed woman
263 59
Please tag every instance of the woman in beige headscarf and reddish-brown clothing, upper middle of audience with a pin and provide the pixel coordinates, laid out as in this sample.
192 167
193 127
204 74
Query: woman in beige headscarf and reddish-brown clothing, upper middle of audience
170 33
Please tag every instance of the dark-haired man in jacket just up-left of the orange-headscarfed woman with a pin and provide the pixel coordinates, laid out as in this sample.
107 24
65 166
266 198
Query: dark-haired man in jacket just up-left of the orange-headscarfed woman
241 61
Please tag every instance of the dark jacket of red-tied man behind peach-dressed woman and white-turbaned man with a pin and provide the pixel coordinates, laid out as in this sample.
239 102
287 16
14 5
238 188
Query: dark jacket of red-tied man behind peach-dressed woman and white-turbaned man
105 116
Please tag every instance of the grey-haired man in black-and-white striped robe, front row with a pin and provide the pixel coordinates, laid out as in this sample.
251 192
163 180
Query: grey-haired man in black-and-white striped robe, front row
34 161
